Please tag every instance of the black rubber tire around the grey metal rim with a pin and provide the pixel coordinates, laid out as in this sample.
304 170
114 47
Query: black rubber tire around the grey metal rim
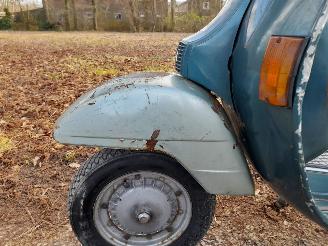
108 165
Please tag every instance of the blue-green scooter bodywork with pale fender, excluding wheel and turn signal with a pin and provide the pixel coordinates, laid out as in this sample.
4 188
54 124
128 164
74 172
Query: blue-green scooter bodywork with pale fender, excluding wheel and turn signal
175 116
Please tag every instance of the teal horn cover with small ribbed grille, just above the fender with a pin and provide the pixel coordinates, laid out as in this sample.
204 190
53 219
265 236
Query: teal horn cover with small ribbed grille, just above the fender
204 57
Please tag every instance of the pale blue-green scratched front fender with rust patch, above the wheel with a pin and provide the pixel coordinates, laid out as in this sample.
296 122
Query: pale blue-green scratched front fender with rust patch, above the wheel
164 113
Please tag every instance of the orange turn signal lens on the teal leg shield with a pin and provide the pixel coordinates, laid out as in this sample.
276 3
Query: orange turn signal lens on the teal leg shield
279 68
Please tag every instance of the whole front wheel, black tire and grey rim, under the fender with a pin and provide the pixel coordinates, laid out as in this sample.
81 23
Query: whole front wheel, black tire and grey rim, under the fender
132 198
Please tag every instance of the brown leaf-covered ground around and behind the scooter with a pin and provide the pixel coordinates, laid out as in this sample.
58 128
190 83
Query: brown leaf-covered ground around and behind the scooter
40 75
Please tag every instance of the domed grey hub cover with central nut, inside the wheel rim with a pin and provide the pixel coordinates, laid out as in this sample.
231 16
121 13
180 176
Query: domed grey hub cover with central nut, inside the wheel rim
150 200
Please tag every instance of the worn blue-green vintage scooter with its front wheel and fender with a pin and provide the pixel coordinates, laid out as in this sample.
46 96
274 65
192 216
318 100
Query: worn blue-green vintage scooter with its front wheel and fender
253 88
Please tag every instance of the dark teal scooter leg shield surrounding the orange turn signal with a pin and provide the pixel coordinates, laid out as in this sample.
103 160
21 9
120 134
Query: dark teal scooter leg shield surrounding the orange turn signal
275 136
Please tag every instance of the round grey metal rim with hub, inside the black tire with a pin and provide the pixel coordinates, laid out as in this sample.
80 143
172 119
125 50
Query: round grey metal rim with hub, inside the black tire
142 208
